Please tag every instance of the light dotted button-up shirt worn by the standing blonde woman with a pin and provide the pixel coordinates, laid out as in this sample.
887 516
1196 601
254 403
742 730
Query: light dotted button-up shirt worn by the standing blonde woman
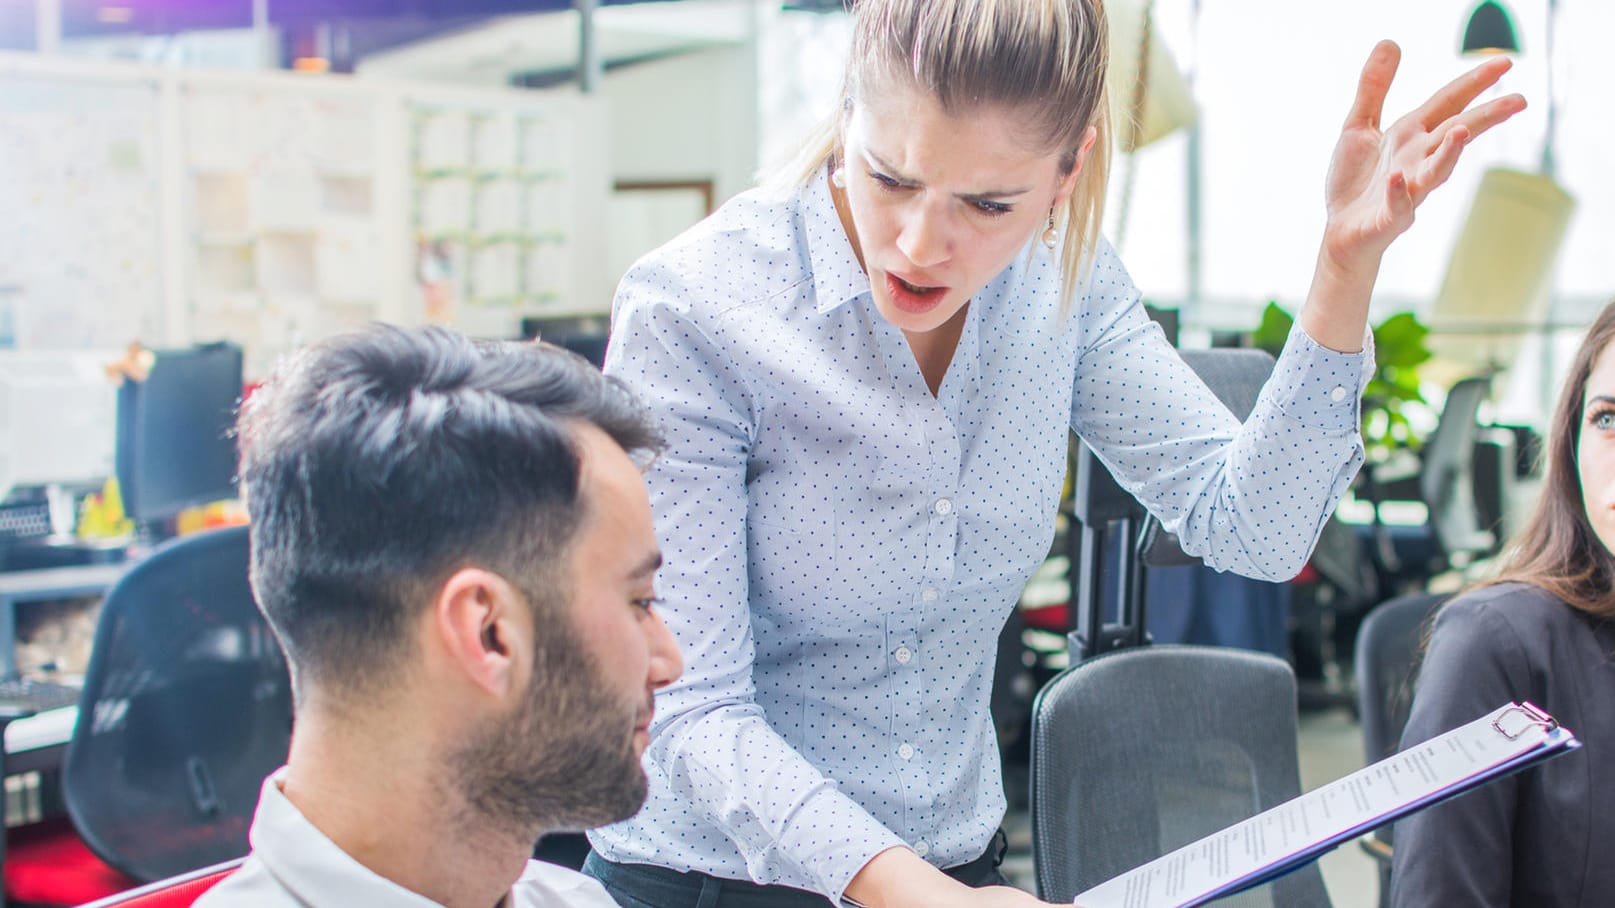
844 547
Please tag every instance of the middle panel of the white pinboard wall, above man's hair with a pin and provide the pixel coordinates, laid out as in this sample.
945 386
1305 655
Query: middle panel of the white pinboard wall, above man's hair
280 188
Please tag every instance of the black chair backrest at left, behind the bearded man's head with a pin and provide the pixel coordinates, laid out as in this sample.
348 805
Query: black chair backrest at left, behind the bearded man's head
187 710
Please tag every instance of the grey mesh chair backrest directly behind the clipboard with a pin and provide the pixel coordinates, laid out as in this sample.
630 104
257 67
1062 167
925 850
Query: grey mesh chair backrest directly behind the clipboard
1141 752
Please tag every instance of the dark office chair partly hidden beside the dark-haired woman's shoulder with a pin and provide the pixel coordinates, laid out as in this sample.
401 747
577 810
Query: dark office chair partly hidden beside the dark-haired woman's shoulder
1390 647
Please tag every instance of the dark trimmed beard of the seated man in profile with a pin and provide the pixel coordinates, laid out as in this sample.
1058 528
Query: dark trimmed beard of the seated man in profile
566 759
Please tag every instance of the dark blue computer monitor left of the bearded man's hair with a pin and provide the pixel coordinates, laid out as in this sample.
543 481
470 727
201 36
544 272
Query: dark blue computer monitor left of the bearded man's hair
175 432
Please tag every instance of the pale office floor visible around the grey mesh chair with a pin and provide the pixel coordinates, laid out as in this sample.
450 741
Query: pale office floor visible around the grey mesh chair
1332 746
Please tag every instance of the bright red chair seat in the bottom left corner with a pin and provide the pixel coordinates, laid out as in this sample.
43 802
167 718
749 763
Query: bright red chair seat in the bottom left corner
48 864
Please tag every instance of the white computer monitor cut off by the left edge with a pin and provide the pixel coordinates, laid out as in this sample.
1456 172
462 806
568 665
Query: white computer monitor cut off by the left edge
57 419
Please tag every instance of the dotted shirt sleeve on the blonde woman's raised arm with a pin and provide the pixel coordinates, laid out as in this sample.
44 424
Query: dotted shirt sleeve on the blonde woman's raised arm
1248 497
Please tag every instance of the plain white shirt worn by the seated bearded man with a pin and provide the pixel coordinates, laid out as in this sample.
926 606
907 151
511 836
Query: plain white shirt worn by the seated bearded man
293 865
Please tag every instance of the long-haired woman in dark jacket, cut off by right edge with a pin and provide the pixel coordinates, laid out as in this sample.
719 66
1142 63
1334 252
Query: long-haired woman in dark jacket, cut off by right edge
1545 631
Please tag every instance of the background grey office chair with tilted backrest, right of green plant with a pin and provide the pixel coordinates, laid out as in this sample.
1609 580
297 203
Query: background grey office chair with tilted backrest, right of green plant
1453 534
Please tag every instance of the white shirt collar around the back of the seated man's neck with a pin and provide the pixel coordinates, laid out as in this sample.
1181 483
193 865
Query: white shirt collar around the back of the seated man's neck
309 865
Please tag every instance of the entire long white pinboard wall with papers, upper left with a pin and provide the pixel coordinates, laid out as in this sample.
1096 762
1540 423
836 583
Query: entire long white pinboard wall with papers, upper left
275 209
